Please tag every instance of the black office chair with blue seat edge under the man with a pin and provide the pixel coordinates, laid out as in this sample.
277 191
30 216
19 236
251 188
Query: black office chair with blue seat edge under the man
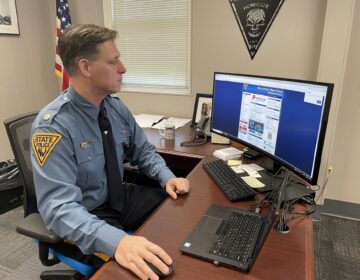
18 129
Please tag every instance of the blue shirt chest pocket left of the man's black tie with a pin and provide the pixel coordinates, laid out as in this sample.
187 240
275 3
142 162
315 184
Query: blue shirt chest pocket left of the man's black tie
91 165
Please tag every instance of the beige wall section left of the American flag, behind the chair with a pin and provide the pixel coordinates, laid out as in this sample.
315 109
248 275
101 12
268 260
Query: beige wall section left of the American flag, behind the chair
27 79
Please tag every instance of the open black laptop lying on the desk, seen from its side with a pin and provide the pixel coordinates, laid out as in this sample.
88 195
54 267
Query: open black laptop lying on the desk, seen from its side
208 240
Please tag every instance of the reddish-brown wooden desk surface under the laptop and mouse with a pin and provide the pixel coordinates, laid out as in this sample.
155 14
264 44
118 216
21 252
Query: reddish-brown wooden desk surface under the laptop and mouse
283 256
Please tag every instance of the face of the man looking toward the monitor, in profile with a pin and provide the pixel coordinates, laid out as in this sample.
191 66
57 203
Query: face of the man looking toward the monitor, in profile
106 70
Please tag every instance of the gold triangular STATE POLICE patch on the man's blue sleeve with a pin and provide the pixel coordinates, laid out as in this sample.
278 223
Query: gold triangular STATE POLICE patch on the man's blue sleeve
43 143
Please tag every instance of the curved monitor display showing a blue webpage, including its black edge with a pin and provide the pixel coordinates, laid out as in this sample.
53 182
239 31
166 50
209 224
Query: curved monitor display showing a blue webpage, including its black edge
281 118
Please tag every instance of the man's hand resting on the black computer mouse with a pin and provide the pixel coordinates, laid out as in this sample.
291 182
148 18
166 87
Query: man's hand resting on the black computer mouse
133 250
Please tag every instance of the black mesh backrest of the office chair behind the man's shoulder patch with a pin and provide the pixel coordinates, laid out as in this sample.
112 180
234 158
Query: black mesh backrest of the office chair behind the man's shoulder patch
18 129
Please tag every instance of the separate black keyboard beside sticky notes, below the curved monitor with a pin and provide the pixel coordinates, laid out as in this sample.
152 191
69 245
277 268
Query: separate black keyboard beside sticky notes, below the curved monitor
230 183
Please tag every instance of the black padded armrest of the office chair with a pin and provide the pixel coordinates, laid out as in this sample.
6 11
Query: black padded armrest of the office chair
34 227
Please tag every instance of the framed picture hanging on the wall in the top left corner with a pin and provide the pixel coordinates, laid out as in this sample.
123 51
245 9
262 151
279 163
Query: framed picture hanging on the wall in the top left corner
8 17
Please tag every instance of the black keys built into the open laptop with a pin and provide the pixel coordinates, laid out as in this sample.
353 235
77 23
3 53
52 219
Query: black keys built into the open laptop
236 236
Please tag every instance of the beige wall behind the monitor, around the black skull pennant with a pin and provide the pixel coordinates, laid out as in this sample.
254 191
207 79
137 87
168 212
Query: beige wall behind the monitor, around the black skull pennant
296 46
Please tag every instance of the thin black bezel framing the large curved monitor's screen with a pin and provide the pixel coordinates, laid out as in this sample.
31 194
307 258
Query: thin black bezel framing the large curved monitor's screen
323 125
